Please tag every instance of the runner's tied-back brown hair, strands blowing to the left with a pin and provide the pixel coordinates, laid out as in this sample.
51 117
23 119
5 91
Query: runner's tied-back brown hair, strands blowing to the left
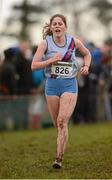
46 29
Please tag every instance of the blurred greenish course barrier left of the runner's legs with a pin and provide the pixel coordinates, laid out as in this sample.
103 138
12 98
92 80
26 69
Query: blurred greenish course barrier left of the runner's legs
23 112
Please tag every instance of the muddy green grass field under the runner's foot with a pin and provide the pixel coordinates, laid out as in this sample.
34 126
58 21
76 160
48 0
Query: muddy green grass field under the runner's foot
30 154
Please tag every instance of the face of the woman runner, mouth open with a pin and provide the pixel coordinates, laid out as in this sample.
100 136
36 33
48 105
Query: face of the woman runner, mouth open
58 27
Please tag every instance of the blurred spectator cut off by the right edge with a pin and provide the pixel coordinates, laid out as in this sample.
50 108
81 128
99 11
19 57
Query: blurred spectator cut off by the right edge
105 82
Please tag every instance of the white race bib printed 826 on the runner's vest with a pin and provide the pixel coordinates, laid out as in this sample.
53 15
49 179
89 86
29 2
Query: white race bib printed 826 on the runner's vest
62 68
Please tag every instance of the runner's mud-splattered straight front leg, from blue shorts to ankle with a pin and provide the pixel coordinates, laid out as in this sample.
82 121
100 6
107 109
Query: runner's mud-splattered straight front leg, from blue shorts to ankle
67 105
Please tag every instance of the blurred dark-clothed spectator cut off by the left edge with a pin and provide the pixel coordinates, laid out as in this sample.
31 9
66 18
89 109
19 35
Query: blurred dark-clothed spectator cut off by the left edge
8 75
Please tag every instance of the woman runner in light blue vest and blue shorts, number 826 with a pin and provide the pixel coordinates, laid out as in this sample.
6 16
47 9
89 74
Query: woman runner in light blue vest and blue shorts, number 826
61 68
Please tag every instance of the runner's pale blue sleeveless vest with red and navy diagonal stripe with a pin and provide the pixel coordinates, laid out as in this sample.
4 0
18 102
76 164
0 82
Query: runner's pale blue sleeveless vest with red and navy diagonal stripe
68 55
